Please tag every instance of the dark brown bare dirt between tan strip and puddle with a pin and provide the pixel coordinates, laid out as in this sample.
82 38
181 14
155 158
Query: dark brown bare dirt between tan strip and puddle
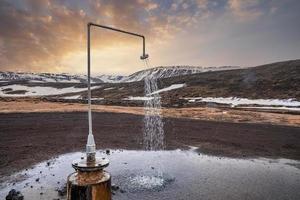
27 138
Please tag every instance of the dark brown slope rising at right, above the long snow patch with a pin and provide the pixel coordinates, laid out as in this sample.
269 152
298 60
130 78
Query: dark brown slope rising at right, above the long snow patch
276 80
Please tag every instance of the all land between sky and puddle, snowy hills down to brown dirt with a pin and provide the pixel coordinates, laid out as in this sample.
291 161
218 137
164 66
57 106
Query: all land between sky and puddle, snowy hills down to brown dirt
227 111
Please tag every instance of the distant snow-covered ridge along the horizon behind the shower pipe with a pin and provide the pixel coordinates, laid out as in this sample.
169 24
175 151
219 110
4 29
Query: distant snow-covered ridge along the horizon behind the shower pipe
158 72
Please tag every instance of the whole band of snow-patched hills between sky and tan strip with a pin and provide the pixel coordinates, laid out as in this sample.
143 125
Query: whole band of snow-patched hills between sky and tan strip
271 85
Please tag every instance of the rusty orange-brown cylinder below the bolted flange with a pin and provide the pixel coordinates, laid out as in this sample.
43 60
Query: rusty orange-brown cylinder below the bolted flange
89 186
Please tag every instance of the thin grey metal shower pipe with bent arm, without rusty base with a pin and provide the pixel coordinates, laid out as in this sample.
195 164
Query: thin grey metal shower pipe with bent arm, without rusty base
91 147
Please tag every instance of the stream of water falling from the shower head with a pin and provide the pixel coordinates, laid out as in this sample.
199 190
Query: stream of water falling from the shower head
153 124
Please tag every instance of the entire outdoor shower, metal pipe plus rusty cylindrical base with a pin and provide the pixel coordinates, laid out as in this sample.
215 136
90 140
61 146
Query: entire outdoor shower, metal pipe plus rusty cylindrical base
90 181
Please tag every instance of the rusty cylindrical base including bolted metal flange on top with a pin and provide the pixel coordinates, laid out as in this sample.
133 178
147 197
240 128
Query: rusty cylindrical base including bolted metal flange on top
90 181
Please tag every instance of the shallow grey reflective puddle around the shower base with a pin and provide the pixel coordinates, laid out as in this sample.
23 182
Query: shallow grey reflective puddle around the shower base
174 174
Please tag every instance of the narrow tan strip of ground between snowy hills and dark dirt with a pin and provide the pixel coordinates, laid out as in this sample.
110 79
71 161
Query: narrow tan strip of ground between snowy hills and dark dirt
202 113
